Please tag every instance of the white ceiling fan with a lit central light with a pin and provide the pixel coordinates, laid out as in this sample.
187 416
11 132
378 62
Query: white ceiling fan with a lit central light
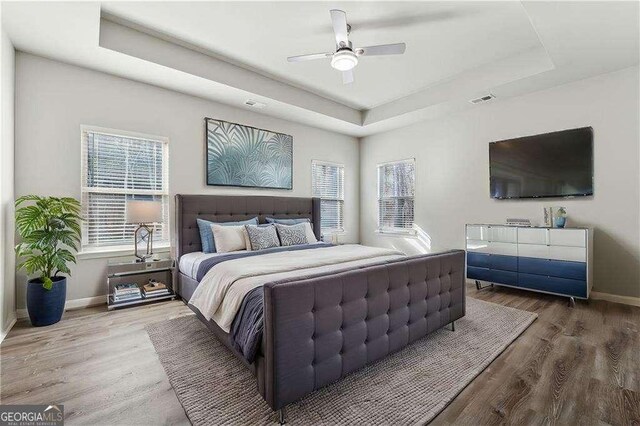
345 58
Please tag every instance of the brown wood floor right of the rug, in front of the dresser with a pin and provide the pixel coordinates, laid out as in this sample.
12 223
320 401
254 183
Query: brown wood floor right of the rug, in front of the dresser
571 366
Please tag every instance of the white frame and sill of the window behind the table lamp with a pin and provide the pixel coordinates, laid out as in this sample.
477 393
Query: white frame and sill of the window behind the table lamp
88 252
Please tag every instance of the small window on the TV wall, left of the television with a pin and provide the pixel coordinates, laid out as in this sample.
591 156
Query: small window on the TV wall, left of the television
396 191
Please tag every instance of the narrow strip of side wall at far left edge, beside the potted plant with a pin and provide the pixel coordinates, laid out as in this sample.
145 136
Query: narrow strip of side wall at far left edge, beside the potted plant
7 257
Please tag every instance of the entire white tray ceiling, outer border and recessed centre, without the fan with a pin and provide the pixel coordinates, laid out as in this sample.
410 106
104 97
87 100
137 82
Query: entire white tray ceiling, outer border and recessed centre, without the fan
237 50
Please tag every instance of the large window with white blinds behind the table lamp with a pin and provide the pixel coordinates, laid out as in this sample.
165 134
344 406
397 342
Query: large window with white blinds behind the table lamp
116 167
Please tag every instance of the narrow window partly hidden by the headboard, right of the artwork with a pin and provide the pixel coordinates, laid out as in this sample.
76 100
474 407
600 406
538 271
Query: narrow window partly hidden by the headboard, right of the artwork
328 185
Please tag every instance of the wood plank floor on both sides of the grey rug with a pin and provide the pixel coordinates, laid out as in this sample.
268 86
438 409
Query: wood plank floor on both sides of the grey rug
572 366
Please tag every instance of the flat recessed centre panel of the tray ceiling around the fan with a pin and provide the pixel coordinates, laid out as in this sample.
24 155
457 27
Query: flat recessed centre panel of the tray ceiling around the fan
443 39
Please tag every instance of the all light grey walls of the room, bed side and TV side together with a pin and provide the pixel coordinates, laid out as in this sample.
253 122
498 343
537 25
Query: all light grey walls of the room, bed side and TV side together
54 99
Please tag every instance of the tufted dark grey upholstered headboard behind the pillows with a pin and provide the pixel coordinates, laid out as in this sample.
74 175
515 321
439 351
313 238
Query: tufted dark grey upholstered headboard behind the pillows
229 208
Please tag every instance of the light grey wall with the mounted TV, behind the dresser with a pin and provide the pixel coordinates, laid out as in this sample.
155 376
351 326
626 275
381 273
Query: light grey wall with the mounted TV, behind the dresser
452 177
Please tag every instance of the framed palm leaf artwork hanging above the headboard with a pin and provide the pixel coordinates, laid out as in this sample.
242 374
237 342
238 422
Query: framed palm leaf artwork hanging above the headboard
239 155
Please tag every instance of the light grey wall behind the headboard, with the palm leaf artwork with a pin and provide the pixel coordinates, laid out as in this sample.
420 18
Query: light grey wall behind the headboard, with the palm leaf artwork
54 99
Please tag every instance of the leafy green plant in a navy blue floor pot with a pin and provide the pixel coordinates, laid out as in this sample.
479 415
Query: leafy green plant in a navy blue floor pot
49 229
